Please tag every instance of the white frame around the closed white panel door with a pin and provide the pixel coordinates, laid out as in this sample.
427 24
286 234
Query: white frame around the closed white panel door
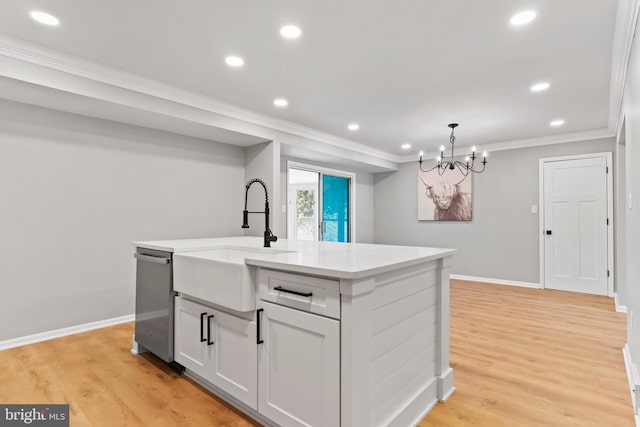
608 156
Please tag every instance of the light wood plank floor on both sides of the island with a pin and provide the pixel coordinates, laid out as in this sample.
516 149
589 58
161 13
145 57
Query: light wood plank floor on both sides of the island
522 357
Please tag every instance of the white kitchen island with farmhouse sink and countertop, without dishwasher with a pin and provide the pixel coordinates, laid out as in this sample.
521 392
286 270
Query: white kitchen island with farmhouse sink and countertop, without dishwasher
321 333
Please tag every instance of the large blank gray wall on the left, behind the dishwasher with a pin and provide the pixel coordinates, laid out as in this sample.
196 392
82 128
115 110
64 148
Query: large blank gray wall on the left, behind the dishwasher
74 193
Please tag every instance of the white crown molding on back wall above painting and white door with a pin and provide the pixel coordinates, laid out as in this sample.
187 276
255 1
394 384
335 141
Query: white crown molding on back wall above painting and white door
528 143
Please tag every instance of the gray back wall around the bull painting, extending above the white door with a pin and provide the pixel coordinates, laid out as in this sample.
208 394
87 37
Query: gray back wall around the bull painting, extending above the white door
501 242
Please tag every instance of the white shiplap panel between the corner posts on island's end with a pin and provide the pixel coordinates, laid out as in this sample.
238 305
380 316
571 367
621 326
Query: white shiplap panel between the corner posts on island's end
403 384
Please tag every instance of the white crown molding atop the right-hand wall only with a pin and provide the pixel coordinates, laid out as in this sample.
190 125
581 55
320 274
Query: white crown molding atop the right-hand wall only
625 27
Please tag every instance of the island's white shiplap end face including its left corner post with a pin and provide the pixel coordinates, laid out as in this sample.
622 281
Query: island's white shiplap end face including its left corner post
391 346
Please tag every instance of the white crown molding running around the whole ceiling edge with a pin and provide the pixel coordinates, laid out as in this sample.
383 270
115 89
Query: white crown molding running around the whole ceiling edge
135 85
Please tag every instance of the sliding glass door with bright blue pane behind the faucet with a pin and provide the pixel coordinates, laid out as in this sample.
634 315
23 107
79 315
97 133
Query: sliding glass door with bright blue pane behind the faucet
319 204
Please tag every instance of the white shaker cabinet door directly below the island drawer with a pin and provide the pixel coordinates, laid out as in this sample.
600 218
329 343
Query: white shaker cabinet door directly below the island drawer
299 367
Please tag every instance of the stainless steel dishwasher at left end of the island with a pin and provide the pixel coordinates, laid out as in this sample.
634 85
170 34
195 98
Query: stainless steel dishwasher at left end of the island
154 302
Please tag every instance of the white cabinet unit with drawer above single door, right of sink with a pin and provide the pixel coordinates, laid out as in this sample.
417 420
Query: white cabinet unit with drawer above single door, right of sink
301 347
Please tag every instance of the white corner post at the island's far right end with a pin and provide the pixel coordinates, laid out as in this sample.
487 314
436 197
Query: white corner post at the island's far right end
443 370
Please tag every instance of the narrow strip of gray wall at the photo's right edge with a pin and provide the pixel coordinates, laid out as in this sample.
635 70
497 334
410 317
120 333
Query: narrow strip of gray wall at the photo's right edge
631 112
